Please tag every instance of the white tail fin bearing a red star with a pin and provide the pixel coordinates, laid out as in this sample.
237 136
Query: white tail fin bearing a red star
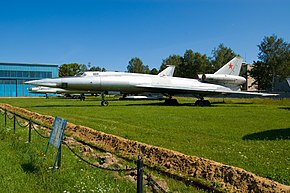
233 67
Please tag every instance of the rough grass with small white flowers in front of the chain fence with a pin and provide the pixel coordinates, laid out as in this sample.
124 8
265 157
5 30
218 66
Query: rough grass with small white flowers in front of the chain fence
24 168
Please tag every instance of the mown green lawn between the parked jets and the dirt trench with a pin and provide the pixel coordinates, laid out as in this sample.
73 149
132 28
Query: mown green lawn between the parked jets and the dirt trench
253 134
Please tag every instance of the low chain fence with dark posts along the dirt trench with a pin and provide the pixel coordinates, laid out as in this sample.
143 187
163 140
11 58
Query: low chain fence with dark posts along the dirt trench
24 123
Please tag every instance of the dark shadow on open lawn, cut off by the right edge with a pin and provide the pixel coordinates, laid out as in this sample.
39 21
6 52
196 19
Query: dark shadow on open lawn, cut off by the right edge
274 134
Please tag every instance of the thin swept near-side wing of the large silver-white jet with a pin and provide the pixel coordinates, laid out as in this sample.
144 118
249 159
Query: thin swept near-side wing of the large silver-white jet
198 90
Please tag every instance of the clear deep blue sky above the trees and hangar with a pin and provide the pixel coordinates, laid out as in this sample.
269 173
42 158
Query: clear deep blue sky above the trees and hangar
108 33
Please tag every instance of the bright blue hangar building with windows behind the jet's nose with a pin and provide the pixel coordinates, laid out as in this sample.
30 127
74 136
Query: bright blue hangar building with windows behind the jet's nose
13 76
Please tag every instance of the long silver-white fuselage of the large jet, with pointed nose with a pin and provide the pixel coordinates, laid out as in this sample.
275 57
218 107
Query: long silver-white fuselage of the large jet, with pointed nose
129 83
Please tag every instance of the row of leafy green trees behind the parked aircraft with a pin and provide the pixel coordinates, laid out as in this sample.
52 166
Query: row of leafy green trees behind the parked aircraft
273 63
